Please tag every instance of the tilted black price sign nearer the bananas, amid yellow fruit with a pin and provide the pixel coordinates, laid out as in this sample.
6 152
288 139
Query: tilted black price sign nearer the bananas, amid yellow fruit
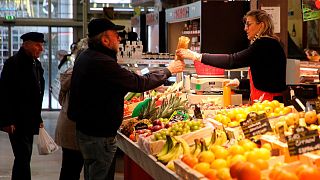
255 125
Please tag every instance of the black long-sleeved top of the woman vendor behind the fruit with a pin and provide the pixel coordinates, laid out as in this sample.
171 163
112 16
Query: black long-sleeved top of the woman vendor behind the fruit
266 59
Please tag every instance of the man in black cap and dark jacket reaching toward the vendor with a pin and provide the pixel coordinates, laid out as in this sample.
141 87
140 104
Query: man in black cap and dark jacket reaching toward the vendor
98 87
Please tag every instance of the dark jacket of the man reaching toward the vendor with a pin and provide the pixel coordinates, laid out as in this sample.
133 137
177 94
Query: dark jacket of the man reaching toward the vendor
98 87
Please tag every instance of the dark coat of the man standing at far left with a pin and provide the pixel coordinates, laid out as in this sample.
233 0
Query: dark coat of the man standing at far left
21 93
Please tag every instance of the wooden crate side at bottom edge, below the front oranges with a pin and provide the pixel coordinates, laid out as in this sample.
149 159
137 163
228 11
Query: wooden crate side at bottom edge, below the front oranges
186 172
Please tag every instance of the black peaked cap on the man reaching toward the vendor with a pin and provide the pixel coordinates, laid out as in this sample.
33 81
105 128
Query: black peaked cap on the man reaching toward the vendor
99 25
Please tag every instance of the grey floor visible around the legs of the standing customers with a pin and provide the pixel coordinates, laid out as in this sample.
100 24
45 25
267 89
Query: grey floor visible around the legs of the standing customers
44 167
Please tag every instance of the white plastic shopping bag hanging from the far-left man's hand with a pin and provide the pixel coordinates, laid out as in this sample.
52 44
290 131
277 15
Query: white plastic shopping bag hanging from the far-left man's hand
46 144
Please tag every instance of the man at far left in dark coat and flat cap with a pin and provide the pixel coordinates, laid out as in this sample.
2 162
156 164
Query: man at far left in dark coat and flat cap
21 91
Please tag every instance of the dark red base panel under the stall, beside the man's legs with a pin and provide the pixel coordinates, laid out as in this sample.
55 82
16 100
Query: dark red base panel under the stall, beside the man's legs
132 171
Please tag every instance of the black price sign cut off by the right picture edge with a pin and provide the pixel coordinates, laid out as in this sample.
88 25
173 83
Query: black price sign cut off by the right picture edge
302 141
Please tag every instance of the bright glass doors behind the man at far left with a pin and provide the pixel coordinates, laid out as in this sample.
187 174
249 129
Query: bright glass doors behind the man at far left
61 39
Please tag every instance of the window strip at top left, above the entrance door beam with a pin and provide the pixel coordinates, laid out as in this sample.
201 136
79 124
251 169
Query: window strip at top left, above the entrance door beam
36 8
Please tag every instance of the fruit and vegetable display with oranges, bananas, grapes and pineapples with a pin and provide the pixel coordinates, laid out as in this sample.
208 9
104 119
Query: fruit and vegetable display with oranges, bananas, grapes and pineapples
216 146
